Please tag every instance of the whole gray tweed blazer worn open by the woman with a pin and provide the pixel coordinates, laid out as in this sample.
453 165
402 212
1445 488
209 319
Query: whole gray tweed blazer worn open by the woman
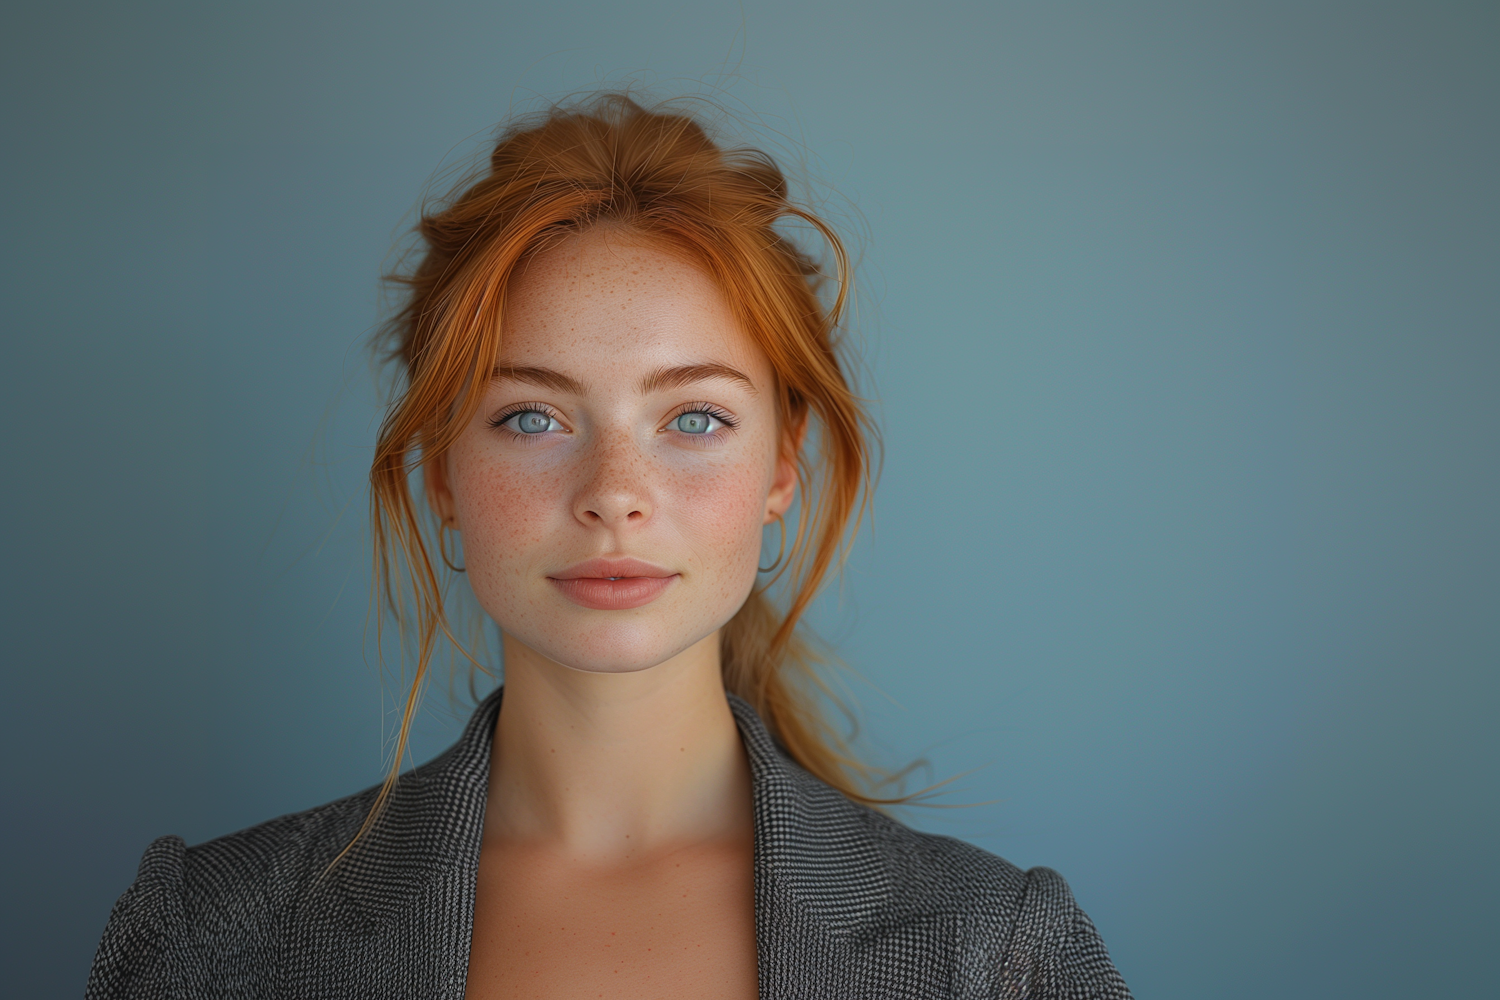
850 903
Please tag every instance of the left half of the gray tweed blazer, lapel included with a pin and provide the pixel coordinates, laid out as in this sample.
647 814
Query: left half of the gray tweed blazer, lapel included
265 912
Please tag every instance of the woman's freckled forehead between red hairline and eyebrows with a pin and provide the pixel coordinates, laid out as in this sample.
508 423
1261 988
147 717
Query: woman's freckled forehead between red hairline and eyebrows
607 299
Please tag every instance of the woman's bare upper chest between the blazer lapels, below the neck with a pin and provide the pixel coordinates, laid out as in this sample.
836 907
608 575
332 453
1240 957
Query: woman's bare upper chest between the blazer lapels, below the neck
674 926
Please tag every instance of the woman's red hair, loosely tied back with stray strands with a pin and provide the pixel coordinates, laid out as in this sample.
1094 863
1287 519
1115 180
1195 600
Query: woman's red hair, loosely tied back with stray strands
659 176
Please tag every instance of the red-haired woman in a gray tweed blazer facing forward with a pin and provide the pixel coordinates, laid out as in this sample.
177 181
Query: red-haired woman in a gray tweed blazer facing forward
617 374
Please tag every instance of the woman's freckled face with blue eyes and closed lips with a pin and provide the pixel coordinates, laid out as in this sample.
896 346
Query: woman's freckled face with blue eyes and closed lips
613 487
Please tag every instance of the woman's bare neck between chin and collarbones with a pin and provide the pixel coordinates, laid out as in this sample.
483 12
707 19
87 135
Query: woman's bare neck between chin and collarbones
617 765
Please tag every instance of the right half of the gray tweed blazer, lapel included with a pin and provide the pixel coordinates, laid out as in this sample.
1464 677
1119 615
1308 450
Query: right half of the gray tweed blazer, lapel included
862 903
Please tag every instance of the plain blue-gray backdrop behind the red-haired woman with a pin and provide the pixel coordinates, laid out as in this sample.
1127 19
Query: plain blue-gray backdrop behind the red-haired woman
1184 320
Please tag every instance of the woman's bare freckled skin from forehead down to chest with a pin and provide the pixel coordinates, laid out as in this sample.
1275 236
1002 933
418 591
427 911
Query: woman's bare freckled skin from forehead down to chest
619 839
